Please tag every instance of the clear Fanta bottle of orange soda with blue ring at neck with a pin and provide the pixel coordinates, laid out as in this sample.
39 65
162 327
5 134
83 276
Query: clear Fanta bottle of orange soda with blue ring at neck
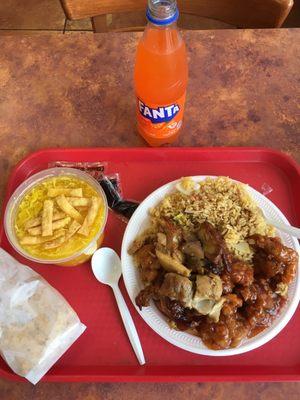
160 75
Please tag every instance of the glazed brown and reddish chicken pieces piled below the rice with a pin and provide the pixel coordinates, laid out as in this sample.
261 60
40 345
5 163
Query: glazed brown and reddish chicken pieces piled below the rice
204 287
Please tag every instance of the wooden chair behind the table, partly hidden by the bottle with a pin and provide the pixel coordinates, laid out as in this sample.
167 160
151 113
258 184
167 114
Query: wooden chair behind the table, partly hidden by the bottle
129 15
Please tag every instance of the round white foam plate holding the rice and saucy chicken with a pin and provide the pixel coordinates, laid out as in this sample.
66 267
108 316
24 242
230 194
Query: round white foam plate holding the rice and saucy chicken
158 322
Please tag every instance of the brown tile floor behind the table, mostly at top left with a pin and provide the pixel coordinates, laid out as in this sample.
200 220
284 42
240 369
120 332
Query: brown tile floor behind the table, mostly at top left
31 16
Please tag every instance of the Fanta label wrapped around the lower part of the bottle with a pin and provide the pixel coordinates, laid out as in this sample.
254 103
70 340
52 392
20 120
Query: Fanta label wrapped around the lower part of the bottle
160 120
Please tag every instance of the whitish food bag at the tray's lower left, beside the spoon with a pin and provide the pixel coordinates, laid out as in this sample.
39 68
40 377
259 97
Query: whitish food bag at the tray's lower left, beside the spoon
37 325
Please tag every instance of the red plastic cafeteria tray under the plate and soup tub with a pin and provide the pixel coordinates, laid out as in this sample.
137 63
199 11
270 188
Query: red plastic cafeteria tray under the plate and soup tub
103 352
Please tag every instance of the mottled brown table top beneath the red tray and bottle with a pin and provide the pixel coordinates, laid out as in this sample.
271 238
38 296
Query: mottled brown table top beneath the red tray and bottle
76 91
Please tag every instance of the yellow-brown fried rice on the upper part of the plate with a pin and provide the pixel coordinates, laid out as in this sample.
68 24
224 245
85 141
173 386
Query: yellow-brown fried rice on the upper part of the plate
226 204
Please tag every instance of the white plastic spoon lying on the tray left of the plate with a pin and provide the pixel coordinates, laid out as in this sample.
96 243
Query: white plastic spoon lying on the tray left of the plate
106 266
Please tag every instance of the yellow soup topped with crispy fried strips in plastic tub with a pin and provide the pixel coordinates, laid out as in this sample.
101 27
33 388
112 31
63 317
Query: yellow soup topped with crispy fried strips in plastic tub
76 214
